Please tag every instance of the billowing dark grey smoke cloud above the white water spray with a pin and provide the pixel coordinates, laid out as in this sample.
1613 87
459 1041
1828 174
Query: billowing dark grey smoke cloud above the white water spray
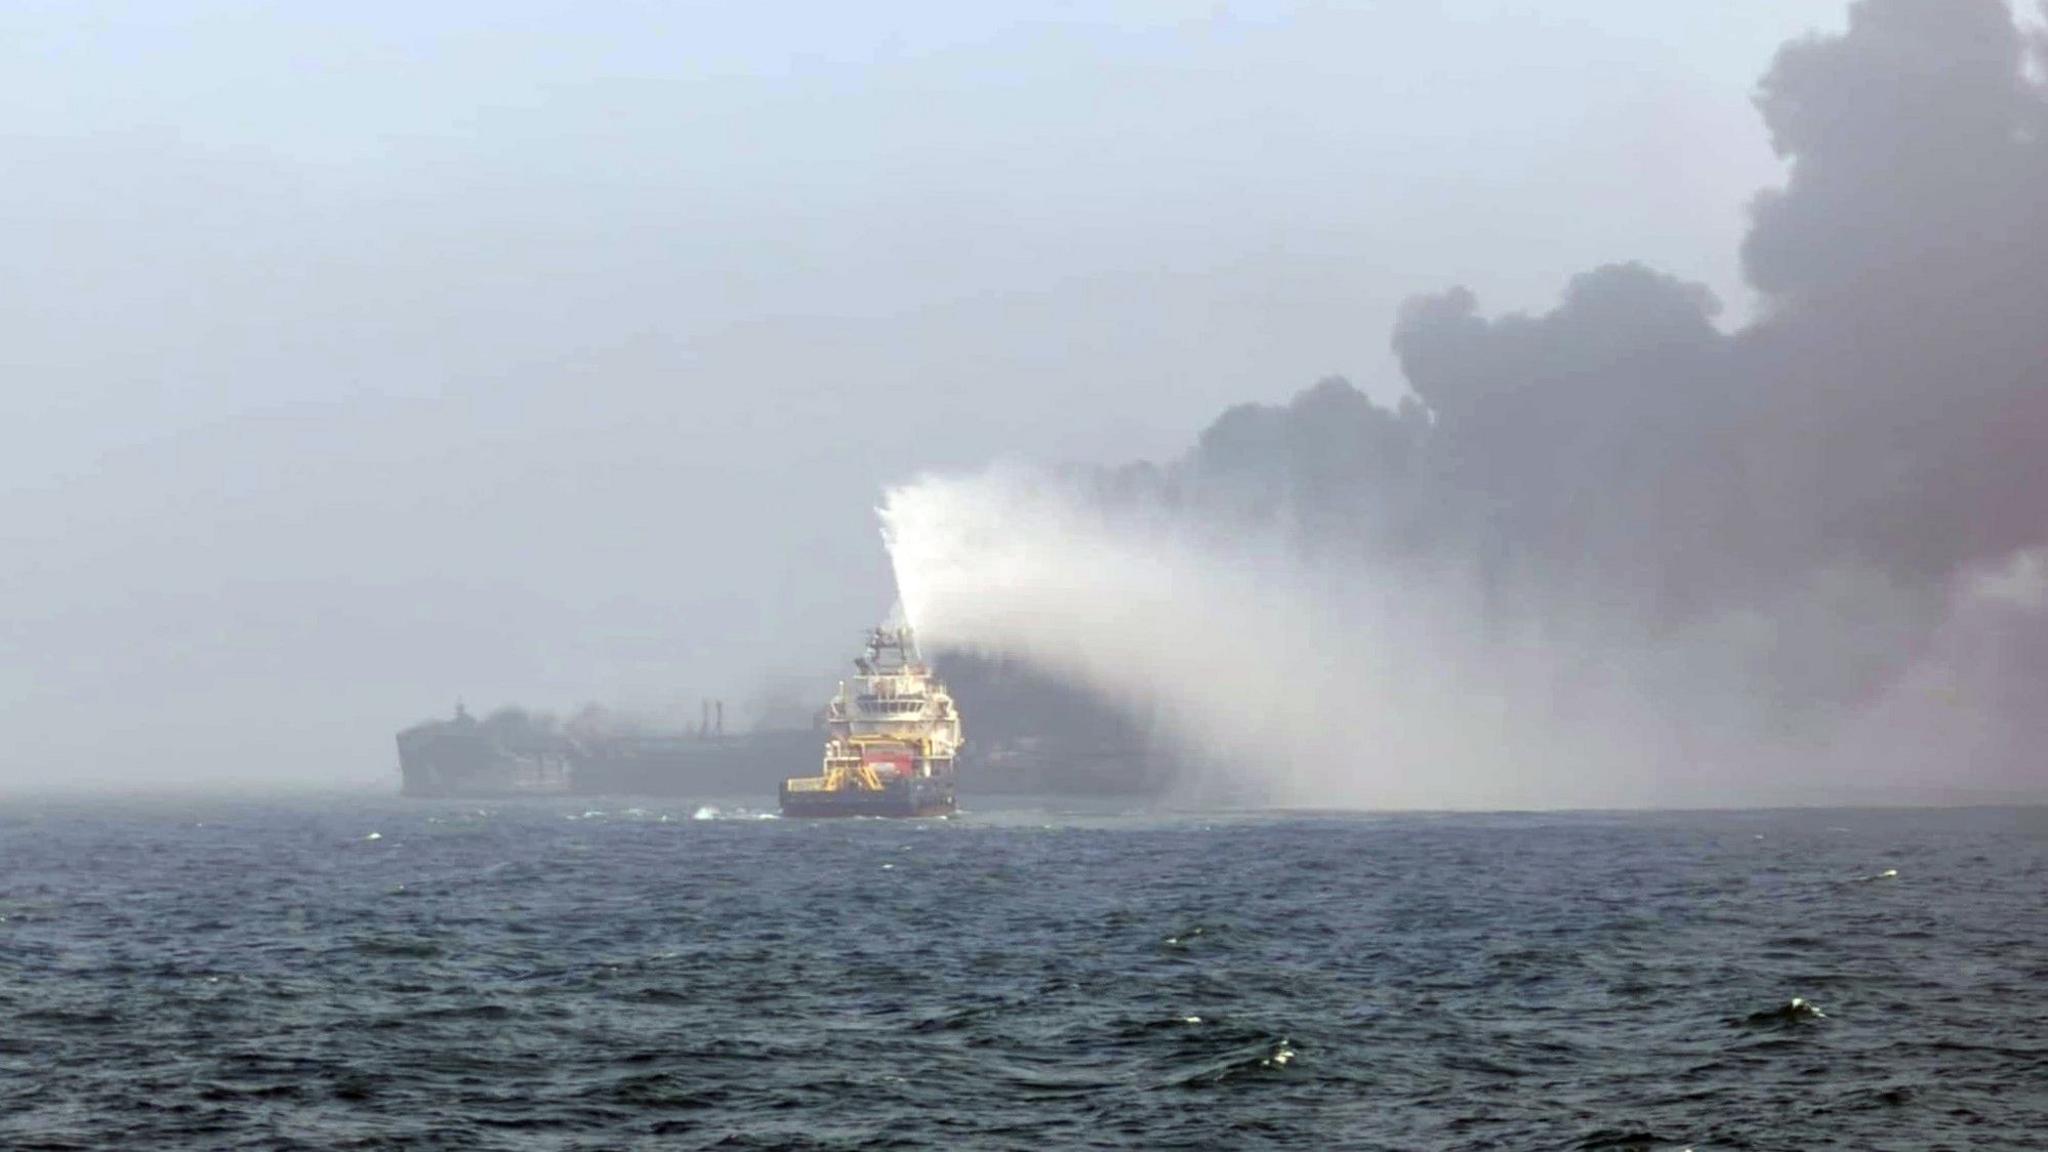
1846 472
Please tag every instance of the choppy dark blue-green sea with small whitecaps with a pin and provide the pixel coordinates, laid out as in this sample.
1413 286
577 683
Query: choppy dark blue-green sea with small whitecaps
1033 975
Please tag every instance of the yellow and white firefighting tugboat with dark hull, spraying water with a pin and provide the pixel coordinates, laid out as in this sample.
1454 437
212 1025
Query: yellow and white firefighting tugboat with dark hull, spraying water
892 741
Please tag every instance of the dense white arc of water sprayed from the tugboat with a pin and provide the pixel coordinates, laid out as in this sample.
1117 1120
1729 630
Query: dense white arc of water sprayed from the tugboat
1297 684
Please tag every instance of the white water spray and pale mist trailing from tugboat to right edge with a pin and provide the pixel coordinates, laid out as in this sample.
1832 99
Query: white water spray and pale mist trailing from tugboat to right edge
1345 686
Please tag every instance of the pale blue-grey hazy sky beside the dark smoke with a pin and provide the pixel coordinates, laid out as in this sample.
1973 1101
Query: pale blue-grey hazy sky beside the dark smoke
361 358
